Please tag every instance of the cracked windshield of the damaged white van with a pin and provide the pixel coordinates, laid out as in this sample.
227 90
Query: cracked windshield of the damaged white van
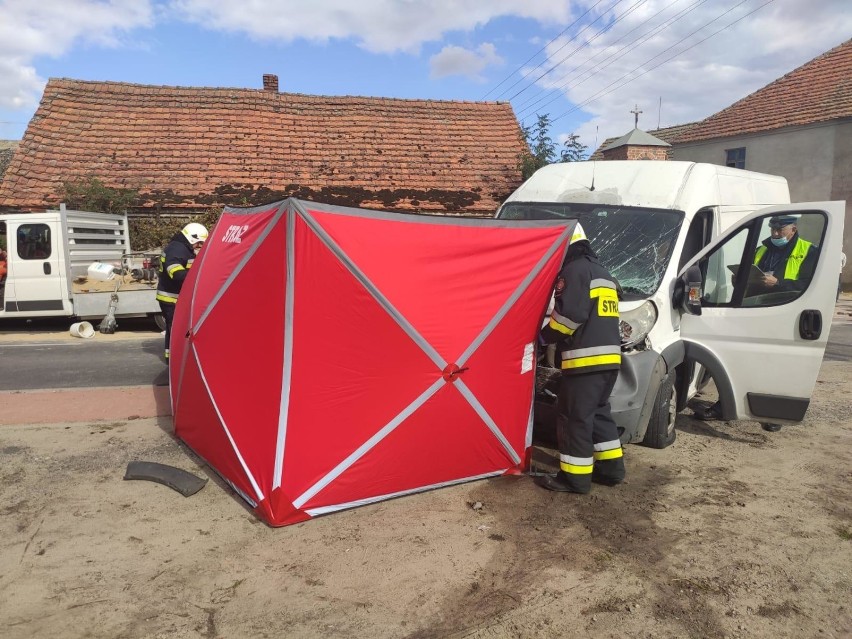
633 243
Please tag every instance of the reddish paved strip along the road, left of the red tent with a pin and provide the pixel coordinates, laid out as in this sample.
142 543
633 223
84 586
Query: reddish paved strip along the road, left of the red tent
83 404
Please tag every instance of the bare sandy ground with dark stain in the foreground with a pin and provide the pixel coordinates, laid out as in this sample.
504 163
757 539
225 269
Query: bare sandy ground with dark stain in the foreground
730 532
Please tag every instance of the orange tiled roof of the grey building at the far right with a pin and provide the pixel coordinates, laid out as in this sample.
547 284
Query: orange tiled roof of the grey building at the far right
818 91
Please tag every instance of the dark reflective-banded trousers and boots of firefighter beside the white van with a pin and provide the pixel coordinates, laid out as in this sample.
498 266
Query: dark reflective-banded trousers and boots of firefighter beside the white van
587 435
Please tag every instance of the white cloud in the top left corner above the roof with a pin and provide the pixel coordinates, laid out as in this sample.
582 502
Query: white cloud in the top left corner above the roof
51 28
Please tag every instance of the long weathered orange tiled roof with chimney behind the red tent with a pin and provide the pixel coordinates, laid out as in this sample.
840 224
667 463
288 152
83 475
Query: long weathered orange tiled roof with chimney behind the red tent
186 148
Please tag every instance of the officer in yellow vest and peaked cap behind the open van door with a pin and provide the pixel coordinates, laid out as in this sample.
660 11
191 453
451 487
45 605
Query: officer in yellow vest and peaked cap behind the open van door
787 262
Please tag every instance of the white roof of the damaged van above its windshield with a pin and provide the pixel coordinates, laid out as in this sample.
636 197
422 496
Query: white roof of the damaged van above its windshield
655 184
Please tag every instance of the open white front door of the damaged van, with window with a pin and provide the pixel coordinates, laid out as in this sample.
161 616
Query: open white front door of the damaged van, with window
763 343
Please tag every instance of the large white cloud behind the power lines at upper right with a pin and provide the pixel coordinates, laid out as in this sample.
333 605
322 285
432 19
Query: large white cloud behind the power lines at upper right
605 80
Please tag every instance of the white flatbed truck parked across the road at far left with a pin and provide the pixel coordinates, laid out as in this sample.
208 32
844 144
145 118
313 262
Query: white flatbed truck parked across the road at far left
75 264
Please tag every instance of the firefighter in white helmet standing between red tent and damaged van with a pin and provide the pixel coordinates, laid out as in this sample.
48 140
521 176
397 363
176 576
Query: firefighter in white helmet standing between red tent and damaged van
584 323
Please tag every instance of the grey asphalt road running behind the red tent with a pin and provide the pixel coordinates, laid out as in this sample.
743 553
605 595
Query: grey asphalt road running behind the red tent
46 357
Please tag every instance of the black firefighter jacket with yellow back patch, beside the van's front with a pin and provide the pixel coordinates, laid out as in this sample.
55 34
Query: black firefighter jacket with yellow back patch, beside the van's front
584 322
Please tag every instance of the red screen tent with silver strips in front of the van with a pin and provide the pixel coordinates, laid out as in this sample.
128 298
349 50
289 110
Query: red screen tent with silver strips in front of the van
327 357
